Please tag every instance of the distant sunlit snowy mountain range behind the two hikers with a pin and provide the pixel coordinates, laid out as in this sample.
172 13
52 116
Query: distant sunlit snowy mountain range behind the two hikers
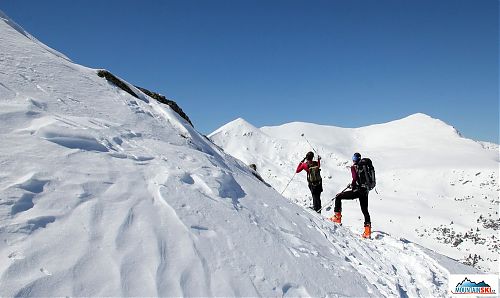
434 187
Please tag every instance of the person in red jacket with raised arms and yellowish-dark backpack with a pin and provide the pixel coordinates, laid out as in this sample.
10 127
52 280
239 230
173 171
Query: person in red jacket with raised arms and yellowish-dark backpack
313 178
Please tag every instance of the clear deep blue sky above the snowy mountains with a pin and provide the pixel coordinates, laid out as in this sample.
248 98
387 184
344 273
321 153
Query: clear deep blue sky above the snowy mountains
346 63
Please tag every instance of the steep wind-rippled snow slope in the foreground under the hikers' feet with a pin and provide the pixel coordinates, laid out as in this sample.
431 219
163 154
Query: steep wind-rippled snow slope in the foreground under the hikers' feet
104 194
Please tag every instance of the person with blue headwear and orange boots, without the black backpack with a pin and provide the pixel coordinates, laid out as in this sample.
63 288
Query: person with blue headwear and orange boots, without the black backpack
357 192
